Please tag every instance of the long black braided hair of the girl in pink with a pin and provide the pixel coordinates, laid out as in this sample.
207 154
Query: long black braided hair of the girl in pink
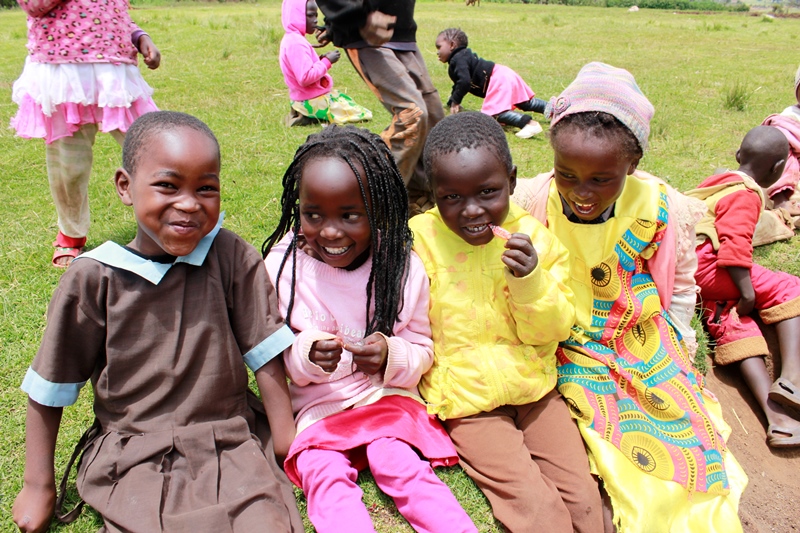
387 212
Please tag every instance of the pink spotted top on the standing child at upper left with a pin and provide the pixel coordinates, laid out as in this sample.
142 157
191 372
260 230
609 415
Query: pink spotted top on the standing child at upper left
80 31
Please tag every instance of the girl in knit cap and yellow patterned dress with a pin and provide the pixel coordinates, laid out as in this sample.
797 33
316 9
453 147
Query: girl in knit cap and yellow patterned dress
655 437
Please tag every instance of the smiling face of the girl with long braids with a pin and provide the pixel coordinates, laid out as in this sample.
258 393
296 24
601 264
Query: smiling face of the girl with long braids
333 216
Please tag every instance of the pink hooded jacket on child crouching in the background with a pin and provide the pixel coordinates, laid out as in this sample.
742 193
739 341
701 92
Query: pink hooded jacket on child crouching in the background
305 74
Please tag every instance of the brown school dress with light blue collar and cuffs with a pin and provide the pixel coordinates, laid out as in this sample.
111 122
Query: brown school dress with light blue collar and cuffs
177 450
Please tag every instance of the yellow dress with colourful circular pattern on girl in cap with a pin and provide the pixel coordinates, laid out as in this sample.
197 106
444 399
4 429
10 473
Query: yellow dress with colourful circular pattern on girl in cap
655 437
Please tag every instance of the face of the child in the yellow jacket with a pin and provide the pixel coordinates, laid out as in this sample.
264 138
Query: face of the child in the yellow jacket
472 189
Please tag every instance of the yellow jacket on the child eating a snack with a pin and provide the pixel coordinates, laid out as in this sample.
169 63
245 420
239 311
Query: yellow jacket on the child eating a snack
494 335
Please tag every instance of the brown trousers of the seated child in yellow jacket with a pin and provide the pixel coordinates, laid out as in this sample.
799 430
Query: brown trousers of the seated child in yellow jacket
530 462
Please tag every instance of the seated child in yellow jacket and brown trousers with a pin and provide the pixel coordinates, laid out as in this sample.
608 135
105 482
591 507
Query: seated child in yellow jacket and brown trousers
499 305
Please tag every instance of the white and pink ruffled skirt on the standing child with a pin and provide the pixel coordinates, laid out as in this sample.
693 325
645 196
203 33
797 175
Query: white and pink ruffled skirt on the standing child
55 100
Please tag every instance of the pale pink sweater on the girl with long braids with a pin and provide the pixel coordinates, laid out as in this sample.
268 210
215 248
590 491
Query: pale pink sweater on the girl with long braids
331 302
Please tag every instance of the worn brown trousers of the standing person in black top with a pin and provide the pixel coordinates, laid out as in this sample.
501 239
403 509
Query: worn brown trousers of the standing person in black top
401 82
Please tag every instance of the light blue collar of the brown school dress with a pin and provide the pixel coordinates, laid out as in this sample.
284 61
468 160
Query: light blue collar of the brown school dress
114 255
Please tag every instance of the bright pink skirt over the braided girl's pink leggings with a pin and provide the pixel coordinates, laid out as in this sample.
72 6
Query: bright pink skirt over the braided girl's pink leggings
392 416
